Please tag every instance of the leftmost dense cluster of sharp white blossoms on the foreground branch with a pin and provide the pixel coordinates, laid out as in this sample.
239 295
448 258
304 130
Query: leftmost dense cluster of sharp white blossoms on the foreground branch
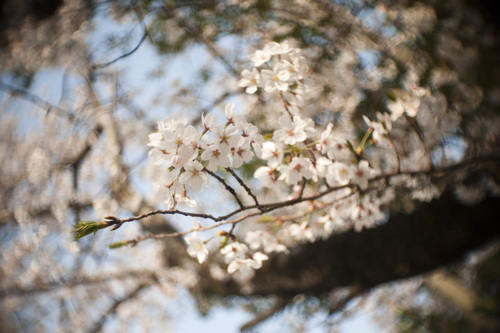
188 154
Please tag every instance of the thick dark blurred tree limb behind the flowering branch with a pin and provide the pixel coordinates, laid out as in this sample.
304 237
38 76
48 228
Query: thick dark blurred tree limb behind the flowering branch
434 235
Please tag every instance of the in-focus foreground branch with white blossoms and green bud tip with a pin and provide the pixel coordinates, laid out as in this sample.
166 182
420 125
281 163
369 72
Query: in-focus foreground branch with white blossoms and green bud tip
331 180
